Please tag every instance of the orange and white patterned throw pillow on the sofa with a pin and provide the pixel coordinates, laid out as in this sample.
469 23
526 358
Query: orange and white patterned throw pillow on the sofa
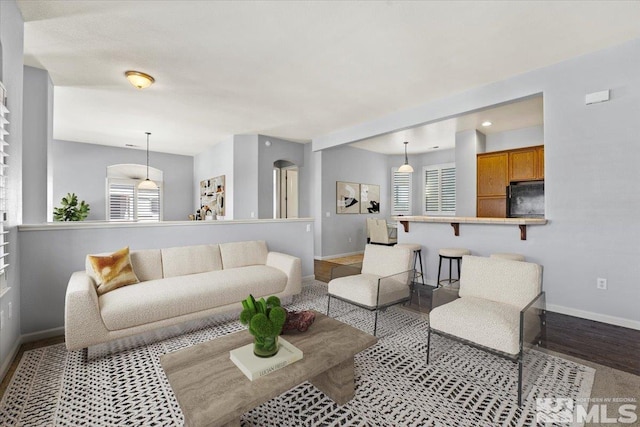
113 271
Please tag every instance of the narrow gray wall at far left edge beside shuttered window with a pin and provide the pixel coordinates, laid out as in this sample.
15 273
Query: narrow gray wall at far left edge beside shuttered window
11 37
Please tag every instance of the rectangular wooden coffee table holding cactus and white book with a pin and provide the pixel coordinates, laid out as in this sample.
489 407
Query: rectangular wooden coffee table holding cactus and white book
212 391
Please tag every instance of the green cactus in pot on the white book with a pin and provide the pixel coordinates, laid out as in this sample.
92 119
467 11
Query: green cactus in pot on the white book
265 319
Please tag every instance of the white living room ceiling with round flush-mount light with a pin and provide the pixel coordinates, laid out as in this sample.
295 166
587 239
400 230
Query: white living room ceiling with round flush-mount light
289 69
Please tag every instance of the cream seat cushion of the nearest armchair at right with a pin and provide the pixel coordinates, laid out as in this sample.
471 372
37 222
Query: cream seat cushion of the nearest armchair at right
485 322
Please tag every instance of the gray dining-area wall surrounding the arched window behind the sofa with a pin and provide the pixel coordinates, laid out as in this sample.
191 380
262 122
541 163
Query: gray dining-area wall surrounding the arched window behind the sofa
82 169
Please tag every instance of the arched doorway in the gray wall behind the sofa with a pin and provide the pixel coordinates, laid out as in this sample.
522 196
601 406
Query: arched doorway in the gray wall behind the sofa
285 189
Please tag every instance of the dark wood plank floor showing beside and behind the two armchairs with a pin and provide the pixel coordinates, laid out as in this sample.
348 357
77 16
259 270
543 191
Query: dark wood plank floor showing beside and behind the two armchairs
602 343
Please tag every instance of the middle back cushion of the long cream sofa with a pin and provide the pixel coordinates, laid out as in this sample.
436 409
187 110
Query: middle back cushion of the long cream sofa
184 260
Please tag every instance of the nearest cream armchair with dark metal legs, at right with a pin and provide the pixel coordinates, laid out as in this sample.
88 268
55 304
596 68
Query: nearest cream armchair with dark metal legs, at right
499 308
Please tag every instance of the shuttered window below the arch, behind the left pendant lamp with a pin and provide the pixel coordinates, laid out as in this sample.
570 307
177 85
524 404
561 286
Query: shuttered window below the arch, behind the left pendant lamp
128 203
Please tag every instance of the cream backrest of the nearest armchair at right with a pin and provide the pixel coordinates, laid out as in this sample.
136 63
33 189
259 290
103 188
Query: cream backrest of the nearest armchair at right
511 282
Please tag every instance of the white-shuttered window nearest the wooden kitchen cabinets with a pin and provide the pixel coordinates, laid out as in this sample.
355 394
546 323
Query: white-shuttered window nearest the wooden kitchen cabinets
439 189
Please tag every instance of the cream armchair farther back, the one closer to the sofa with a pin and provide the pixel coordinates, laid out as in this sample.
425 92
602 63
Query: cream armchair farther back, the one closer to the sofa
384 280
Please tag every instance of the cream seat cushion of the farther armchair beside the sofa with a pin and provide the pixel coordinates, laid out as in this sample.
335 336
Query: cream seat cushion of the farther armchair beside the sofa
363 288
